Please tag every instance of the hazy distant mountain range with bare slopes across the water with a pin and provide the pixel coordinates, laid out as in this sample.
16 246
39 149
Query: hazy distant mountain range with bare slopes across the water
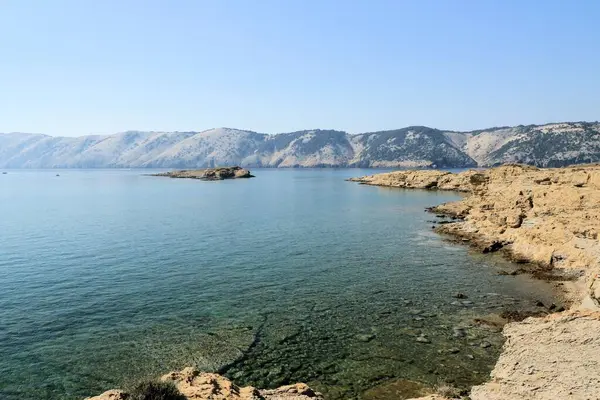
549 145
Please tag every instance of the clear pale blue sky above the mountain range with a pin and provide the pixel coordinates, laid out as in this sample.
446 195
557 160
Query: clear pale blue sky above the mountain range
79 67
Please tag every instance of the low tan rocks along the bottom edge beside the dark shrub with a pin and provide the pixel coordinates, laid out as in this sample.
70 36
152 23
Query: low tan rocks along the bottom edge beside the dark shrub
197 385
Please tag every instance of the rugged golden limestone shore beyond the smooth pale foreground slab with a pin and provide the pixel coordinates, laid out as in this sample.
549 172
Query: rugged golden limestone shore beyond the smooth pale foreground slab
549 217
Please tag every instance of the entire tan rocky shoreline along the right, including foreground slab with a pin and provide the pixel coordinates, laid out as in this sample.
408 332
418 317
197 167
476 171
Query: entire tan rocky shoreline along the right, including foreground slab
549 219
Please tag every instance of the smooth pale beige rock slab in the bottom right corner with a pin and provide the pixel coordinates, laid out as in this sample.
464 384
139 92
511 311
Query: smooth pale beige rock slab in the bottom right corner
556 357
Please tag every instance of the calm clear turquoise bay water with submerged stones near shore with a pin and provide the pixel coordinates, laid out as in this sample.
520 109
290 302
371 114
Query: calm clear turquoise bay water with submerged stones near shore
109 276
